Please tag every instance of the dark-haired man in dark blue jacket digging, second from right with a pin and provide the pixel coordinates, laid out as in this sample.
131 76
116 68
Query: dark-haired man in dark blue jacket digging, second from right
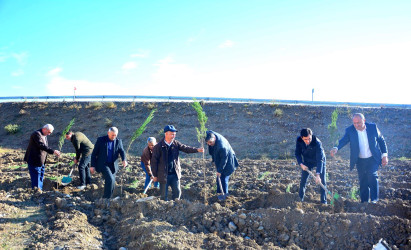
310 153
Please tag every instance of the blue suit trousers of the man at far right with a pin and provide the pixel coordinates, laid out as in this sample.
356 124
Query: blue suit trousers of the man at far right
368 177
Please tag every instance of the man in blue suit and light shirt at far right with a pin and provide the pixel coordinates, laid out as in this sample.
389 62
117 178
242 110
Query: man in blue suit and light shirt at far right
367 151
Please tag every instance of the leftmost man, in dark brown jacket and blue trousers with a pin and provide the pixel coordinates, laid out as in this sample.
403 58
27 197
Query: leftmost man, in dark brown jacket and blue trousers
36 155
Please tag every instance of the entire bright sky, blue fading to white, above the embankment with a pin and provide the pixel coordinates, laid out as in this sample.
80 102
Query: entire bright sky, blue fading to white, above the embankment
348 51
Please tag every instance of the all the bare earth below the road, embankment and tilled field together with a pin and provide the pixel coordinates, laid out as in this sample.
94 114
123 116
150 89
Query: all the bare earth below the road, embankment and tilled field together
263 210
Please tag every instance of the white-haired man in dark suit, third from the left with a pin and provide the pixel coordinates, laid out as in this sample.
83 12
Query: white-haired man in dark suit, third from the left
104 159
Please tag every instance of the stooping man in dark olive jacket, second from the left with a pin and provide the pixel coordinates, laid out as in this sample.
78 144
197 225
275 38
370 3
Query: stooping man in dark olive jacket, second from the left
84 148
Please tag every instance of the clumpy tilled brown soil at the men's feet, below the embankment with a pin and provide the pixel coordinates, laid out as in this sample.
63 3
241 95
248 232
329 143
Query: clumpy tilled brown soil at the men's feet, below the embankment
263 210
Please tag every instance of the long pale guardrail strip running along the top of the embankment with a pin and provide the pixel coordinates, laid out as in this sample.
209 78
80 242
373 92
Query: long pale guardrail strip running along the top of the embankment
189 98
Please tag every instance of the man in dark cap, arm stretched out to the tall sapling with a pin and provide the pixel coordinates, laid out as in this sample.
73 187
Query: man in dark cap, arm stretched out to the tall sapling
165 164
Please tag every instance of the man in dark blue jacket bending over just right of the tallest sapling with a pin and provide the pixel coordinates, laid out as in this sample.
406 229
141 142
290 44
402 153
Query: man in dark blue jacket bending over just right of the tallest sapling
223 156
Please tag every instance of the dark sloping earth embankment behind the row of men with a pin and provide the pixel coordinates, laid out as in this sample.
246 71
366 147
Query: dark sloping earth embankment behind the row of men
271 129
